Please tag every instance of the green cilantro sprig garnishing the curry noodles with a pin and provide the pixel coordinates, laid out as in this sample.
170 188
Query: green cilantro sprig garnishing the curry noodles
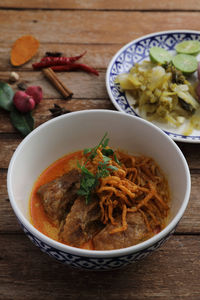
90 181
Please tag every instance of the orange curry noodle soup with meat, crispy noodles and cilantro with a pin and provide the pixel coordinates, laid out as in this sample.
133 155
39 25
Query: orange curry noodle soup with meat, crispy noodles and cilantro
100 199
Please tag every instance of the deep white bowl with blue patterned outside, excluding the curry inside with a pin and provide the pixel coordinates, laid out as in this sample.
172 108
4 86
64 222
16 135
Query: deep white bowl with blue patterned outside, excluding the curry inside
79 130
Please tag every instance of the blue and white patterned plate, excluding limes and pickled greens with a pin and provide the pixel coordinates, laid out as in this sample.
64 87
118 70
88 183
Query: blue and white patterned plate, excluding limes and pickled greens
137 51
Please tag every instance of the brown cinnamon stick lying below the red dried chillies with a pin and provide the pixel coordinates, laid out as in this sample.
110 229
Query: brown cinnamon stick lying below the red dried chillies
52 77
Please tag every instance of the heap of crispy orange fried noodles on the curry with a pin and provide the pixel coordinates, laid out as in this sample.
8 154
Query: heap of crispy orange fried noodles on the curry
137 185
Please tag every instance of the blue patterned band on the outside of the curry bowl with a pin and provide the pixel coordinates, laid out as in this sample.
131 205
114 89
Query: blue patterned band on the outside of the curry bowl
97 263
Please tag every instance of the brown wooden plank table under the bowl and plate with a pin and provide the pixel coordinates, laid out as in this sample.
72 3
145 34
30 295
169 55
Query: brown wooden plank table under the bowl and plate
101 27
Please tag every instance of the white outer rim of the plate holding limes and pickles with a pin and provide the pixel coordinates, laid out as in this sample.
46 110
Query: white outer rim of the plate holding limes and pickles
175 136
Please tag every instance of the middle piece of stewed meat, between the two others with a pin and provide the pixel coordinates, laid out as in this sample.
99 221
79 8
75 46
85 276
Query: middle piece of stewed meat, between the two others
82 223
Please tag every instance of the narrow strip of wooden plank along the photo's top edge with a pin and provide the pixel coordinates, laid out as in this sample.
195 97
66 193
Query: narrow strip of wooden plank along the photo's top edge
104 4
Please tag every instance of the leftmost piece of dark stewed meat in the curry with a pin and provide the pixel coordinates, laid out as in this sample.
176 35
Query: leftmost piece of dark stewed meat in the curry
58 195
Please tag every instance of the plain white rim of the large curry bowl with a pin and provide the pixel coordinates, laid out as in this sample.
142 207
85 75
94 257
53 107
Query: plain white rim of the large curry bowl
97 253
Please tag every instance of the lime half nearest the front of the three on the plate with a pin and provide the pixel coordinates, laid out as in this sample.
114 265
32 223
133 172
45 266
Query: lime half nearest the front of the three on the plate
185 63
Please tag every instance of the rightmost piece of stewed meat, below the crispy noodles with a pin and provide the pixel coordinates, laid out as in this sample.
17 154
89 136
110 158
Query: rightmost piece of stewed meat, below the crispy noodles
134 234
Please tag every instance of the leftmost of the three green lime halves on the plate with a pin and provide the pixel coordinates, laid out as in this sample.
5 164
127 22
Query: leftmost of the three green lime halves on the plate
159 55
